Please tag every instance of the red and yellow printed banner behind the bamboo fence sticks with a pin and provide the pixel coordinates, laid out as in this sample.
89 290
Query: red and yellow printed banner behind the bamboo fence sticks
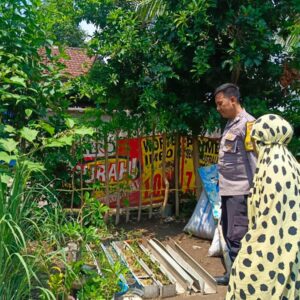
137 174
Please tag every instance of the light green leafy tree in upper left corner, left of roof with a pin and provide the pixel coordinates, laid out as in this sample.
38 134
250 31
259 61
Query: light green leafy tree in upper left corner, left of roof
29 86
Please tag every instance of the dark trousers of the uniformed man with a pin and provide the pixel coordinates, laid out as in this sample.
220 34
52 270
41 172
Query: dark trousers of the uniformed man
234 222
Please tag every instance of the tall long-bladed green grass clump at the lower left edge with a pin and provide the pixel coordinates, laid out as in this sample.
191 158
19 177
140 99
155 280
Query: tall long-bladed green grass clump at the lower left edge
17 269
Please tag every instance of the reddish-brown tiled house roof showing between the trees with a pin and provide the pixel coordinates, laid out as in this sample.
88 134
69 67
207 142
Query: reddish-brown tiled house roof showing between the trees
76 60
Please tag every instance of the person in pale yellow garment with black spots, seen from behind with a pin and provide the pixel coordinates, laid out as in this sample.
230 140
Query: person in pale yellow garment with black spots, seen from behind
268 263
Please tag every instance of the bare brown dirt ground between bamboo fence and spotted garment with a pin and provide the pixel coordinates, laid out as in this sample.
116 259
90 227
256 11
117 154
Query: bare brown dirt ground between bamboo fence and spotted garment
195 247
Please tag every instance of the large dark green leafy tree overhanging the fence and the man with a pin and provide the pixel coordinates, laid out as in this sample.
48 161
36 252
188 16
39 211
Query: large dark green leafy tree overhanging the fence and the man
166 68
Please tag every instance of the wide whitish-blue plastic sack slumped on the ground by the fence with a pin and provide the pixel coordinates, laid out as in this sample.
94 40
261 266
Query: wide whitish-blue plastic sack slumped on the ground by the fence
201 223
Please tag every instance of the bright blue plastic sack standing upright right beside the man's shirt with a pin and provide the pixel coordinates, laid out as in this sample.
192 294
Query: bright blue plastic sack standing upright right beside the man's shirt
209 176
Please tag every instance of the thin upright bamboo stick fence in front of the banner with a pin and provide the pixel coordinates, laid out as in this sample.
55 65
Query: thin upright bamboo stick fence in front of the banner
119 192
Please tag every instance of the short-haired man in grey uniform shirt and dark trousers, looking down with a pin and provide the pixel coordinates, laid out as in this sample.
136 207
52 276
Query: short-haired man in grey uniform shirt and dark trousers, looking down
236 169
